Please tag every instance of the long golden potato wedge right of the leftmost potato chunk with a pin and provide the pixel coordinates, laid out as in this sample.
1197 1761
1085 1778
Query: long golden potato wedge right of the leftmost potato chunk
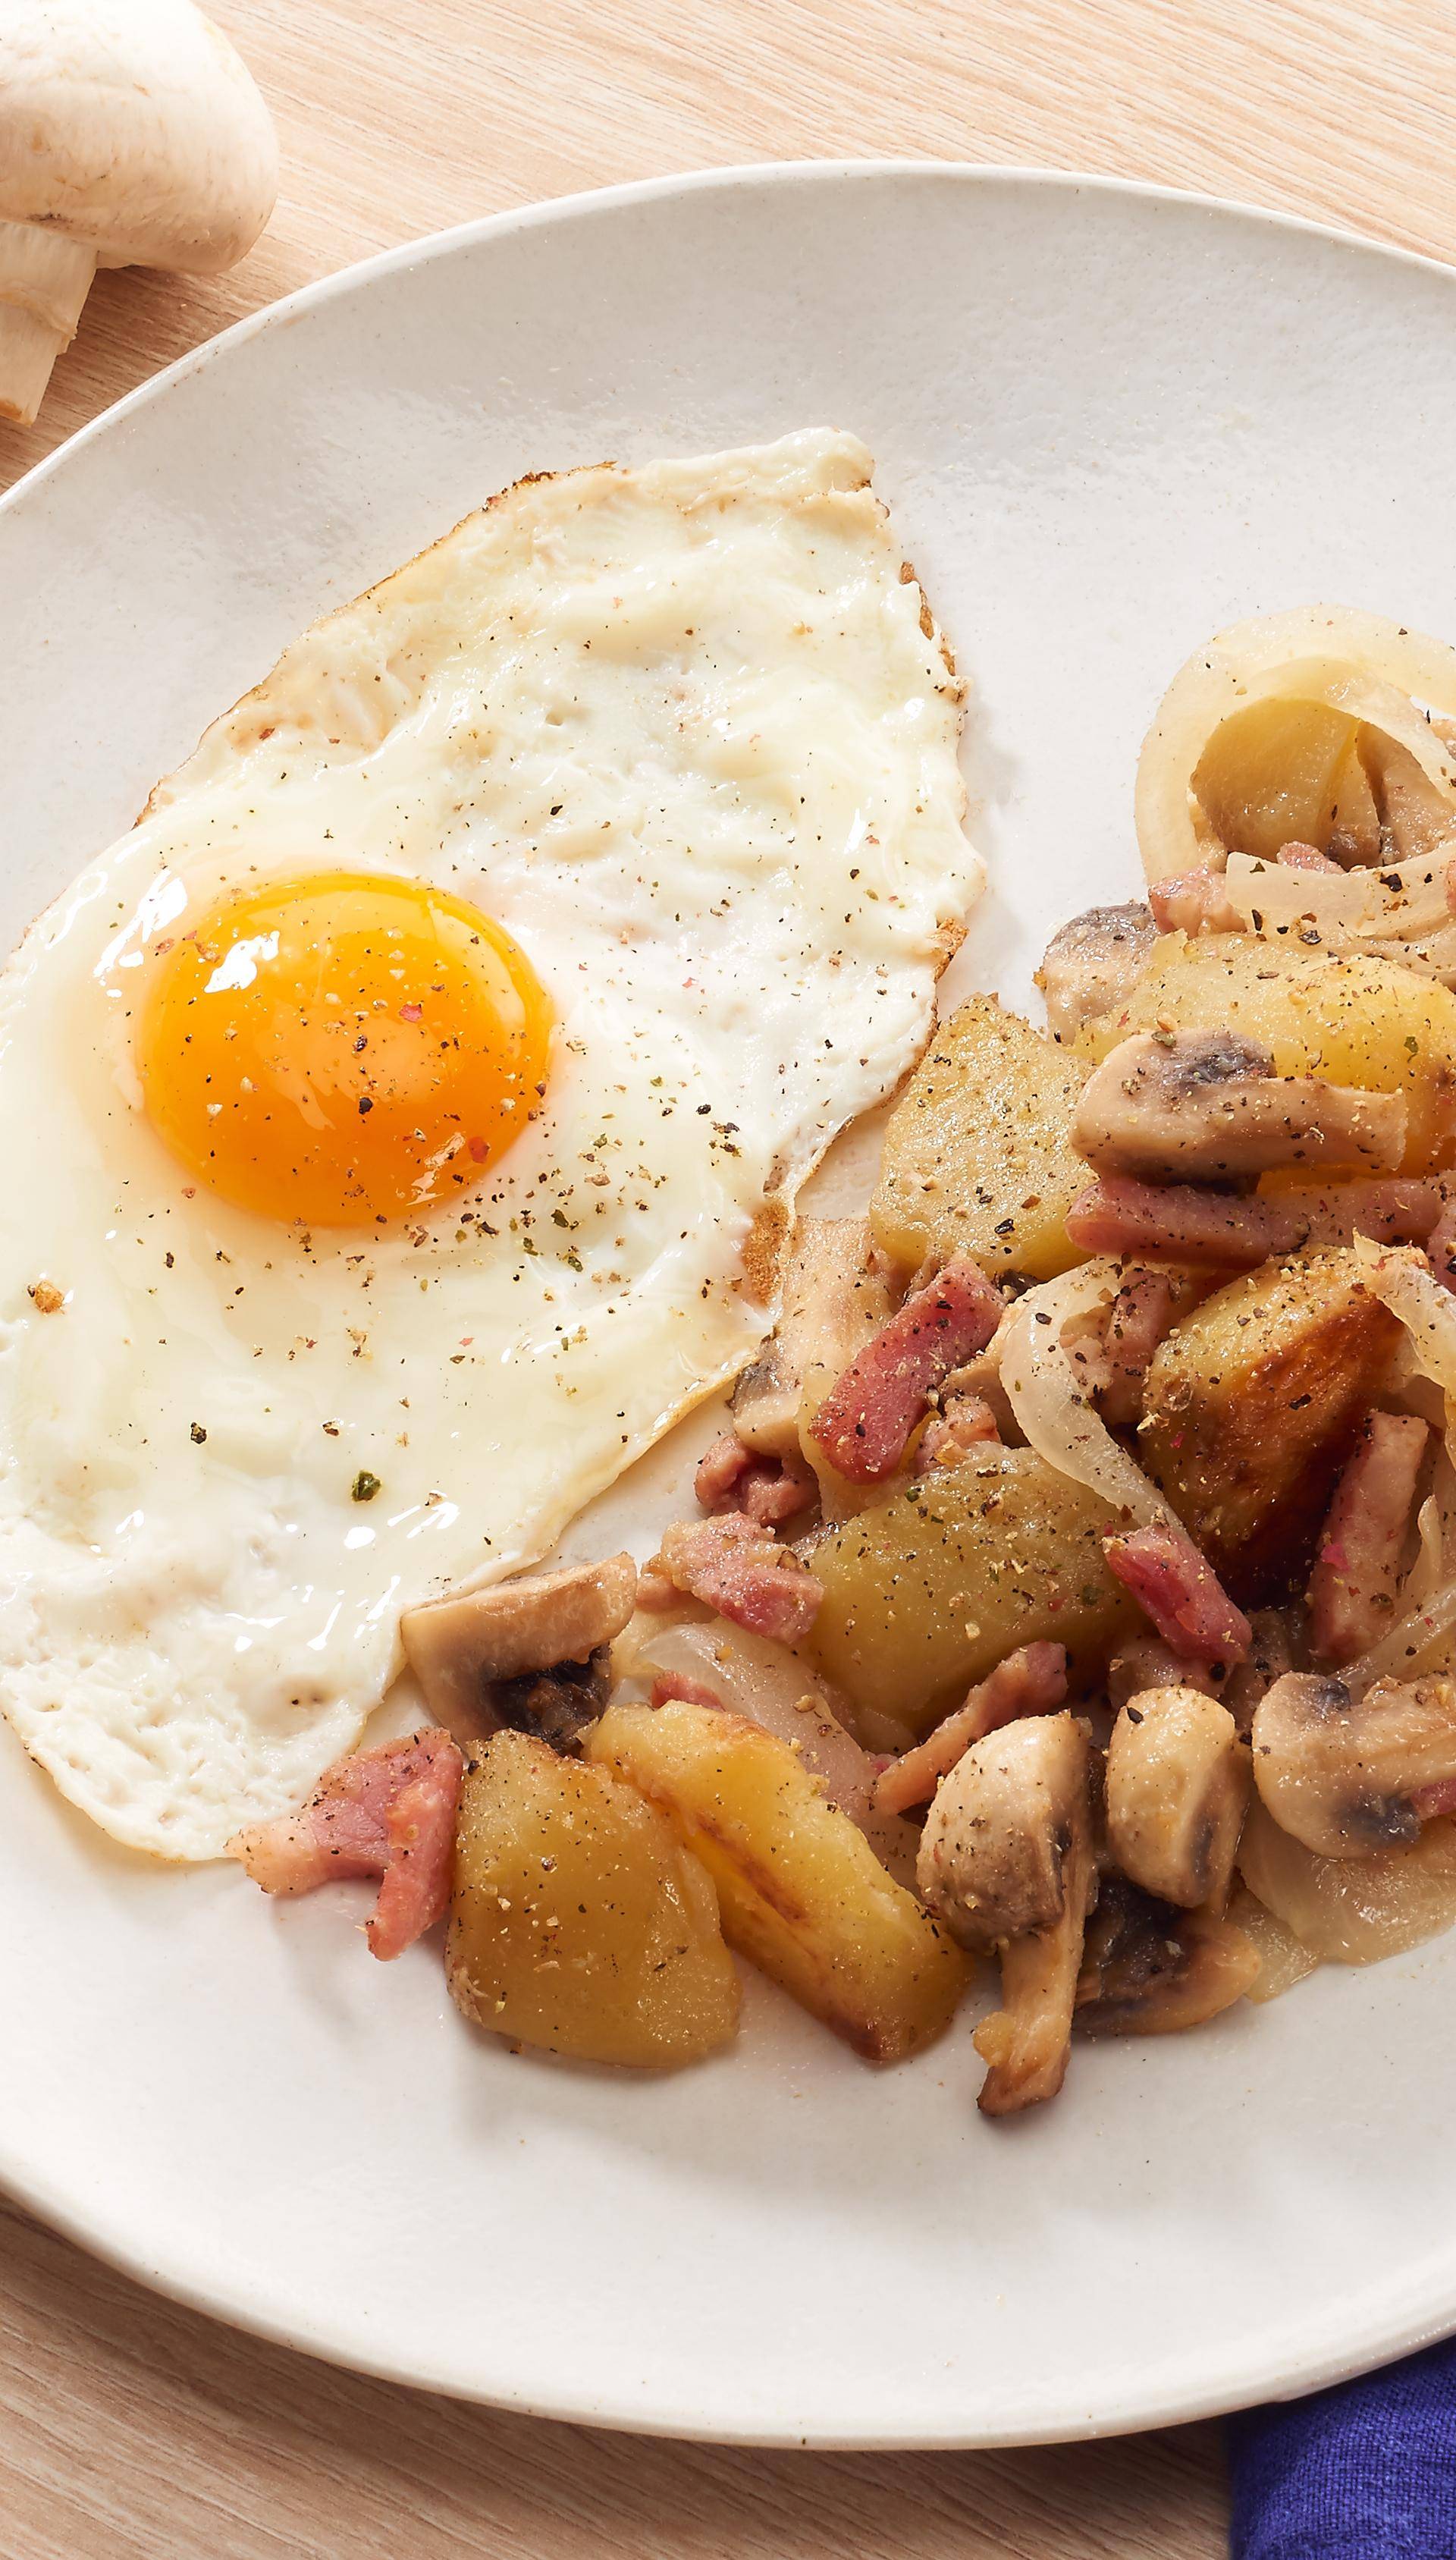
800 1885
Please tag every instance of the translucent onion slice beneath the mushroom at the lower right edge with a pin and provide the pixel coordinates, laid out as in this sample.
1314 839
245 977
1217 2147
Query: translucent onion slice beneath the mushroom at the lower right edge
1352 1911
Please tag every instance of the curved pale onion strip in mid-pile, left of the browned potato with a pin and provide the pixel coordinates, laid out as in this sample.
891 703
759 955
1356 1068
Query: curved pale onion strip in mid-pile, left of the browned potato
1048 1399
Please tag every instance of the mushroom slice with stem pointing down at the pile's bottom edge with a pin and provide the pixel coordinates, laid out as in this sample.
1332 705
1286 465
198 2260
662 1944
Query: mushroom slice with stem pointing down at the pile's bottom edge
1009 1862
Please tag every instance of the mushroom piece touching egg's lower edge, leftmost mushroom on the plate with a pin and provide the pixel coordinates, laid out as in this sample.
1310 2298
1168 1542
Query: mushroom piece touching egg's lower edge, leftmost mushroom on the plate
526 1655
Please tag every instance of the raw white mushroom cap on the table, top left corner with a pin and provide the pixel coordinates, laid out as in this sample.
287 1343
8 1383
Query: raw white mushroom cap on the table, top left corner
137 129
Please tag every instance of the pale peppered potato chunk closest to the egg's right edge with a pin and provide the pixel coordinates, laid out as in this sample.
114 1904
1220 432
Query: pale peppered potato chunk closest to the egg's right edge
979 1153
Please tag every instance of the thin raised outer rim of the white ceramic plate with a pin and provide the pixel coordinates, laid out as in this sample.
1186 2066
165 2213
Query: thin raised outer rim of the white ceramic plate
1383 2339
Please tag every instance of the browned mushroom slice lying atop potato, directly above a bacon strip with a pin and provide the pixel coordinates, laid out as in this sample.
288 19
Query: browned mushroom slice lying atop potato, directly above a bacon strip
1207 1107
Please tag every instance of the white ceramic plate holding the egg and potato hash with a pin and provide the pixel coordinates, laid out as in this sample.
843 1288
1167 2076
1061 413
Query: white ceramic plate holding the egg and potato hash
1107 421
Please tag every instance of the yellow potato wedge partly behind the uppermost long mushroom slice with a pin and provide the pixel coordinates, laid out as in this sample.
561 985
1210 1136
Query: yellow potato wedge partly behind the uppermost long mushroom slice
1352 1023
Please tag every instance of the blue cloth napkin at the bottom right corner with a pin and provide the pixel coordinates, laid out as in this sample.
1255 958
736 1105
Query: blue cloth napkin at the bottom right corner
1365 2472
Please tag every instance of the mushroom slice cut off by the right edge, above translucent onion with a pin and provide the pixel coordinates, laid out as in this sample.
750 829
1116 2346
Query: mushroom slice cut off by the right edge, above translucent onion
1352 1775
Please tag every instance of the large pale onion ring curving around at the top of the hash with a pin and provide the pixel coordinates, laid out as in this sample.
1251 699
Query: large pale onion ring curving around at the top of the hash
1329 657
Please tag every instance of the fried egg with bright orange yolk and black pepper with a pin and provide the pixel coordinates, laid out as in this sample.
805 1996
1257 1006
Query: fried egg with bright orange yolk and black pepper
400 1120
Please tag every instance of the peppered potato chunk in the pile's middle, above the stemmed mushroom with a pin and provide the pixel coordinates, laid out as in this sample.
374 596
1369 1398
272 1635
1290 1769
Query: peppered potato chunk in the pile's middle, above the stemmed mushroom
928 1591
